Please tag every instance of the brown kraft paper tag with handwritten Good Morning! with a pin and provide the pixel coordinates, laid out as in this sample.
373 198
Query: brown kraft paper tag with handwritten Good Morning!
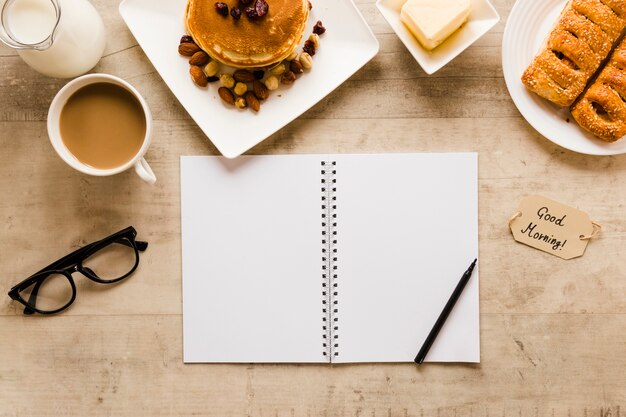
553 227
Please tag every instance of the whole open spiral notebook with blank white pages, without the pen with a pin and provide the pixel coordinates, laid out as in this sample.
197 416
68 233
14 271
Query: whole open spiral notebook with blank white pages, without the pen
328 258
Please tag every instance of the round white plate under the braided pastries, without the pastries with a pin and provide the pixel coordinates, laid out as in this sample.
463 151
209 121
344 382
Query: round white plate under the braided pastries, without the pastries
528 24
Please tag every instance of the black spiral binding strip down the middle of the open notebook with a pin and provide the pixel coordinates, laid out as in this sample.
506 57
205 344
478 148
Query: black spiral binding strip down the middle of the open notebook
330 304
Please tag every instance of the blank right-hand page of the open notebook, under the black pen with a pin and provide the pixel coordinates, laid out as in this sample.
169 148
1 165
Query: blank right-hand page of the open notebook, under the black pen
407 231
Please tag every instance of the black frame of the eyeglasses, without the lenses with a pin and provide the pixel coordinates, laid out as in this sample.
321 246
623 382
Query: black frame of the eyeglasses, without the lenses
73 262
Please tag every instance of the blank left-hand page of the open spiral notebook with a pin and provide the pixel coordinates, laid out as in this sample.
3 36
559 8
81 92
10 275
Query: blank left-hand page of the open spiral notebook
251 244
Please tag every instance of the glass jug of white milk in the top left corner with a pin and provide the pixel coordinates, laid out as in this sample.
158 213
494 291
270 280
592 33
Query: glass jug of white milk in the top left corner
58 38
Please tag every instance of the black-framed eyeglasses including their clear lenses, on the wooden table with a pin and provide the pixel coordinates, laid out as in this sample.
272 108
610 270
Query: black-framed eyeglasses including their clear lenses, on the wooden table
106 261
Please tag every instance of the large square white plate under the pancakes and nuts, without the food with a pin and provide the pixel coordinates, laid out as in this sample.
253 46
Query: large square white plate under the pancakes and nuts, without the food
347 45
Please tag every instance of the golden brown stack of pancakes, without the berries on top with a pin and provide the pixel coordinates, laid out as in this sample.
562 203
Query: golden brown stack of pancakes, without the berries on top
247 43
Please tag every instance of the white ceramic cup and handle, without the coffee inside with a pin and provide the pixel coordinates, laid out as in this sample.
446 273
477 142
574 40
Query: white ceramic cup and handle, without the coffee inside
54 115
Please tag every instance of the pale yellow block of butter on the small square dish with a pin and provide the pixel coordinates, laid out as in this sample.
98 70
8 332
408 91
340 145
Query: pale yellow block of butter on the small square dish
433 21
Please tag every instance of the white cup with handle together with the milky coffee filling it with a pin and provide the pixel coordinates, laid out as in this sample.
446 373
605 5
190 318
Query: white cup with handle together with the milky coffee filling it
100 125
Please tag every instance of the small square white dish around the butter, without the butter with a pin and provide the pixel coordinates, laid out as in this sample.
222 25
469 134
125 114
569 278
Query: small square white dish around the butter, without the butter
482 18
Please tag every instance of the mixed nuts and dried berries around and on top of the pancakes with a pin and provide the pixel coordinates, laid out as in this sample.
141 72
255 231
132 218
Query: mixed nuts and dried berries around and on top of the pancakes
247 88
